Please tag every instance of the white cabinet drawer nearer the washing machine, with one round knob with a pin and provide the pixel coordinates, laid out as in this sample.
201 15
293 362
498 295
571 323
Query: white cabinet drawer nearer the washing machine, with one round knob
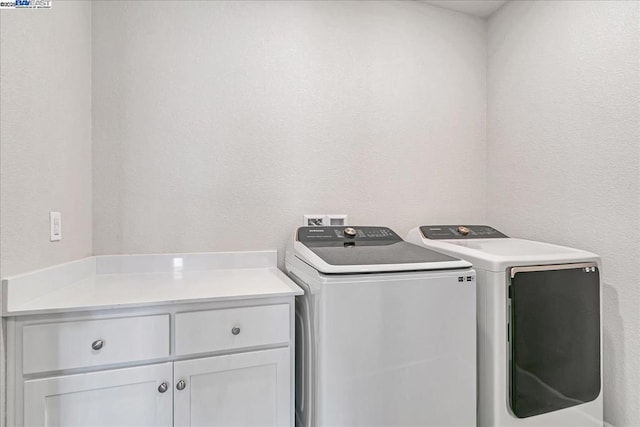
215 330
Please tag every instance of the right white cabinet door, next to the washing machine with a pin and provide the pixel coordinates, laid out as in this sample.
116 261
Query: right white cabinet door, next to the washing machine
245 389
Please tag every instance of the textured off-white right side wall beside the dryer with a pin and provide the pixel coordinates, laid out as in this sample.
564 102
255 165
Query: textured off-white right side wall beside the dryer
563 159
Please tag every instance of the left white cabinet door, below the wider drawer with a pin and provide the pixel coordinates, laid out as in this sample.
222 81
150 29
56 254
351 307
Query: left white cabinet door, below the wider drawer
115 398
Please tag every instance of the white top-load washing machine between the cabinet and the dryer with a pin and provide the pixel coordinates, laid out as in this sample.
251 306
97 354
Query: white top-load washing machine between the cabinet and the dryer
385 331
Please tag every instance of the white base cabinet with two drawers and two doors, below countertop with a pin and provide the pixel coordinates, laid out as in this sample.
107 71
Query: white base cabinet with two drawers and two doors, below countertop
208 364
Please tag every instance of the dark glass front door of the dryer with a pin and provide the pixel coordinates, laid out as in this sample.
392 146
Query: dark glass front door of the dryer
555 337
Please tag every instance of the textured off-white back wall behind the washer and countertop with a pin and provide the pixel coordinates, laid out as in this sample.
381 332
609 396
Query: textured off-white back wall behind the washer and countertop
217 125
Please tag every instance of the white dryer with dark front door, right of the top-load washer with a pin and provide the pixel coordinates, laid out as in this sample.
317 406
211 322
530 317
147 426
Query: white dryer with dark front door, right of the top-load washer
539 326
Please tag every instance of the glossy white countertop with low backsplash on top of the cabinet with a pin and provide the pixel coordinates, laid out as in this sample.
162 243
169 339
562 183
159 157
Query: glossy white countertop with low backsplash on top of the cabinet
122 281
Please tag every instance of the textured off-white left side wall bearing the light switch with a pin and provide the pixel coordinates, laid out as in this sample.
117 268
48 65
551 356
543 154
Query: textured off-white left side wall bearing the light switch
45 139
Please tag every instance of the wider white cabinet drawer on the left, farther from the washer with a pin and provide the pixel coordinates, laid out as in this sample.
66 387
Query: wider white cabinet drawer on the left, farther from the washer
68 345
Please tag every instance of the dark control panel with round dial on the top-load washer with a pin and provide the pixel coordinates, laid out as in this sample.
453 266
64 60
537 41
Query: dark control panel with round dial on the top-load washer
332 235
